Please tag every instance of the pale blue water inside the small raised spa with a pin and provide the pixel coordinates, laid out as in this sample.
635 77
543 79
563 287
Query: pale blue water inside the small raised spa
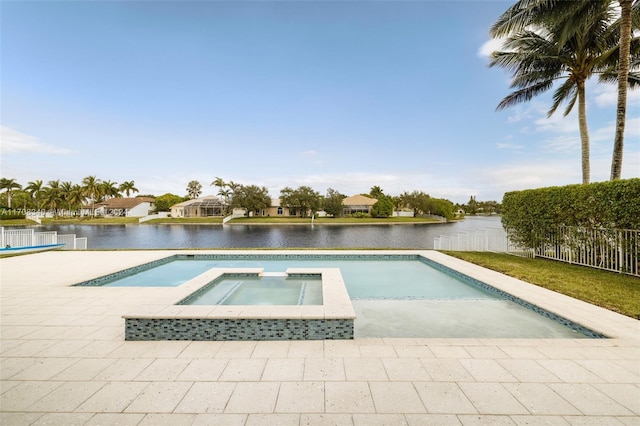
268 290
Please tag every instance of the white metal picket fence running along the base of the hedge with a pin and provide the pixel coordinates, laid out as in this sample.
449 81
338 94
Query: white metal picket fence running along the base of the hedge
615 250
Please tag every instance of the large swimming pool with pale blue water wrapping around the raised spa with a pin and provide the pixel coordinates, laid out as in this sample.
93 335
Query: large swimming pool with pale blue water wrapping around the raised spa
392 295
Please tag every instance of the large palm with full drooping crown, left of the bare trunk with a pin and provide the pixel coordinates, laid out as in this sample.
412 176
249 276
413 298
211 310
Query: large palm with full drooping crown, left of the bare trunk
572 44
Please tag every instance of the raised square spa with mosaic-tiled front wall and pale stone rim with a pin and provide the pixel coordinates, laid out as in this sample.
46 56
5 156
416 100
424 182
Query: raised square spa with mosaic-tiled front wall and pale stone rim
328 315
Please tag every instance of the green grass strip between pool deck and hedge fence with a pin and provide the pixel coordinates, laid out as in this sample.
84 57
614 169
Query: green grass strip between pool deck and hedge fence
617 292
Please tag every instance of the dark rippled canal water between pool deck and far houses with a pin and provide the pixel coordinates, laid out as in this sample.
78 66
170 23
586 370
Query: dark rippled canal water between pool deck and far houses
398 236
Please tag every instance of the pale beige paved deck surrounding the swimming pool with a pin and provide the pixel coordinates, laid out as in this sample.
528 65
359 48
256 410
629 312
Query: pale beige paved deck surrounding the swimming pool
64 360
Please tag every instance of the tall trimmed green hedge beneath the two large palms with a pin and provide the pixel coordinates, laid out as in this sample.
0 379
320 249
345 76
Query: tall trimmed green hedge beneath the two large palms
530 215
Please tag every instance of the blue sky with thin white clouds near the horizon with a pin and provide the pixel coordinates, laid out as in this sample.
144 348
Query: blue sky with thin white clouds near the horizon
342 95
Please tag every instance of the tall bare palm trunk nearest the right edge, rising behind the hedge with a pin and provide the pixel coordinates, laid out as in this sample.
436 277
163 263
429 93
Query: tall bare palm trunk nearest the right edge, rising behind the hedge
623 75
